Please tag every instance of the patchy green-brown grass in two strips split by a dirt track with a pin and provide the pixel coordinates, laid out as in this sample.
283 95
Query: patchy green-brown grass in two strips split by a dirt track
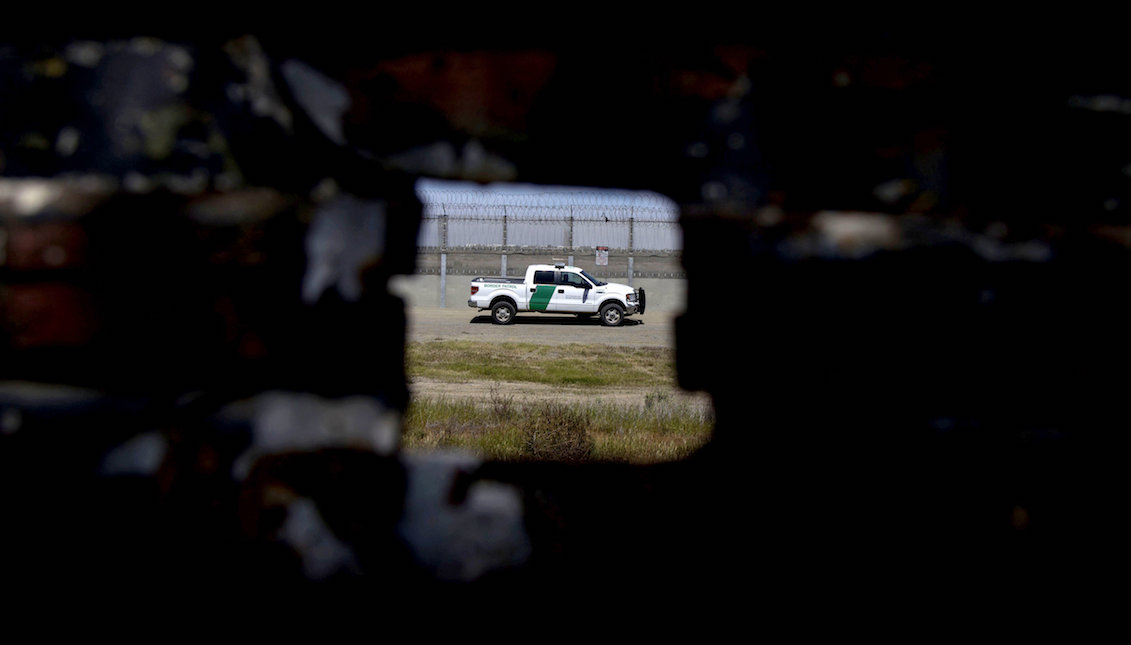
655 426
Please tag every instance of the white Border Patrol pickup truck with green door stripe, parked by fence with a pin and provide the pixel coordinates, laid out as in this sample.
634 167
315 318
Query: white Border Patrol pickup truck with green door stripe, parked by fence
556 289
